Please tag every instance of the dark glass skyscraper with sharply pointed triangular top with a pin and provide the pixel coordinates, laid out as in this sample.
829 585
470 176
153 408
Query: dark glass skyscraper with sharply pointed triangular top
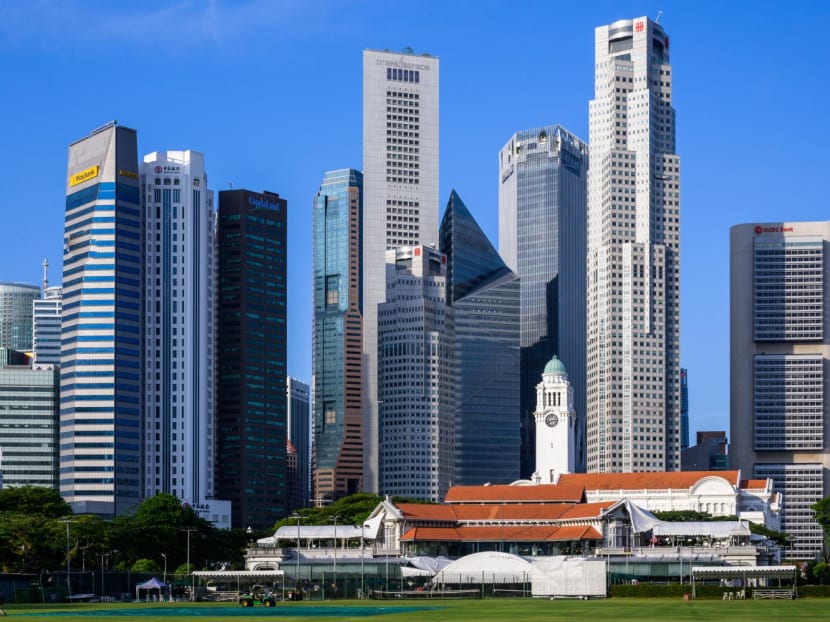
484 295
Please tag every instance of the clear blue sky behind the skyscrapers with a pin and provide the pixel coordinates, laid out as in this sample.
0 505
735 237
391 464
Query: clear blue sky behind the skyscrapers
270 92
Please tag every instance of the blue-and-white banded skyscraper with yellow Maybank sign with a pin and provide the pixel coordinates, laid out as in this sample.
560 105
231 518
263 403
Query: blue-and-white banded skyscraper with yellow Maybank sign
101 397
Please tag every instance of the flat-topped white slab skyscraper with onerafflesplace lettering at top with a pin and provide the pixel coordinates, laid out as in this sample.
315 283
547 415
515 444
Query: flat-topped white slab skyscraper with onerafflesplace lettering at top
400 169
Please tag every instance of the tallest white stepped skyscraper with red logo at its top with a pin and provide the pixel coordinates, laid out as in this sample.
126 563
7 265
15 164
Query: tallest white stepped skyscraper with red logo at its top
633 373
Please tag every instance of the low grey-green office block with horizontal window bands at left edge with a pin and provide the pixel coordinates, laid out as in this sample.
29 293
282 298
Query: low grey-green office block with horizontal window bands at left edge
28 423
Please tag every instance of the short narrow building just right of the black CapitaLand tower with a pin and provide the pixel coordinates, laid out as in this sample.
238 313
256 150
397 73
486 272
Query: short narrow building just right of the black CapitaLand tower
299 427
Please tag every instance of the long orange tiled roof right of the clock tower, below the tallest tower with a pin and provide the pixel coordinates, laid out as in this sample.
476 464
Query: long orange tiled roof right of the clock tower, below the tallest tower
660 480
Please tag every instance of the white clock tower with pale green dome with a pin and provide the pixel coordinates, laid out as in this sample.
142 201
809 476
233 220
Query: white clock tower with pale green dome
555 424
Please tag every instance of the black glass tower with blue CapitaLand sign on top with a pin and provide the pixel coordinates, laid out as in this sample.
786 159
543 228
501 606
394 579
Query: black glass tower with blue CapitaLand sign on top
251 356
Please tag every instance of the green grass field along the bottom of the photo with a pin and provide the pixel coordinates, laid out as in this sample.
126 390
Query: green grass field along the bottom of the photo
501 610
